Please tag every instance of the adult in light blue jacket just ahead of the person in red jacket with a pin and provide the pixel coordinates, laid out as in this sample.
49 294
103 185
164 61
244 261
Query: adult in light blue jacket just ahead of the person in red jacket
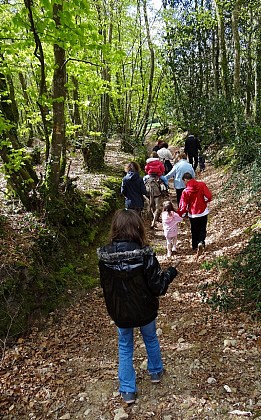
177 172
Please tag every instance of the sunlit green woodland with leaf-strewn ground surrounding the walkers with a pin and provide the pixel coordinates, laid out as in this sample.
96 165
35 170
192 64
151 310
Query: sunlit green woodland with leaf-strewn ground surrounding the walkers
86 86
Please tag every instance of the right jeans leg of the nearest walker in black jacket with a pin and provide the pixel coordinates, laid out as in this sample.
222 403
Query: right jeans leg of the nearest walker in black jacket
151 342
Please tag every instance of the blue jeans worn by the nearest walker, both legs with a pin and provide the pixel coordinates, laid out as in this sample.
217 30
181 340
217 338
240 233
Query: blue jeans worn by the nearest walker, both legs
126 372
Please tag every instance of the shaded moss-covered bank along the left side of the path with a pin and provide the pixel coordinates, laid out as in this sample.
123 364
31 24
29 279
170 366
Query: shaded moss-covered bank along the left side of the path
61 258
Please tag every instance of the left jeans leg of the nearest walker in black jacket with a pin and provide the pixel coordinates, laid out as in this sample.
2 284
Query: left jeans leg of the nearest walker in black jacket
126 372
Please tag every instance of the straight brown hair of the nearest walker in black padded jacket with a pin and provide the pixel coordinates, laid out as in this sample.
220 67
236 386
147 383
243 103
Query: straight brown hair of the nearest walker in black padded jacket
128 225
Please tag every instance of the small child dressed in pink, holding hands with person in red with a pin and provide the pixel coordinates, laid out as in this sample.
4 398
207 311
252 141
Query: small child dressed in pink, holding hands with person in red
170 220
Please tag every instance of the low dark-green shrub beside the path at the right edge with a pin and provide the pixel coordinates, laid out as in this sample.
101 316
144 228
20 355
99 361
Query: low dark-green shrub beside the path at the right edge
239 282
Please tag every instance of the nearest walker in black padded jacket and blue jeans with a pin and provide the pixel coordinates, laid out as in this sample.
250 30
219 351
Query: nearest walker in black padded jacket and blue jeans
132 281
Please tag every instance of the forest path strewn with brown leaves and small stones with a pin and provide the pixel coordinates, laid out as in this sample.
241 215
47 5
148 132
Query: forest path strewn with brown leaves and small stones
212 359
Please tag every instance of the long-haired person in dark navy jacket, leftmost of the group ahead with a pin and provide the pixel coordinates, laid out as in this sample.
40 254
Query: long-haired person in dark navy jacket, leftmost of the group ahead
133 187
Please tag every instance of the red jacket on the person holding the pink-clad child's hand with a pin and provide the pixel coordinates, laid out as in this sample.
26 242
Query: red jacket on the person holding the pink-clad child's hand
194 199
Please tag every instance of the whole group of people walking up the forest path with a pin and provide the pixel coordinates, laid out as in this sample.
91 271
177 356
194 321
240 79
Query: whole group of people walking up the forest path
130 274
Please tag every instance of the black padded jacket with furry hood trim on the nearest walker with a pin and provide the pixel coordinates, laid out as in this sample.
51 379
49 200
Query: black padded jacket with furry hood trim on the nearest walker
132 280
